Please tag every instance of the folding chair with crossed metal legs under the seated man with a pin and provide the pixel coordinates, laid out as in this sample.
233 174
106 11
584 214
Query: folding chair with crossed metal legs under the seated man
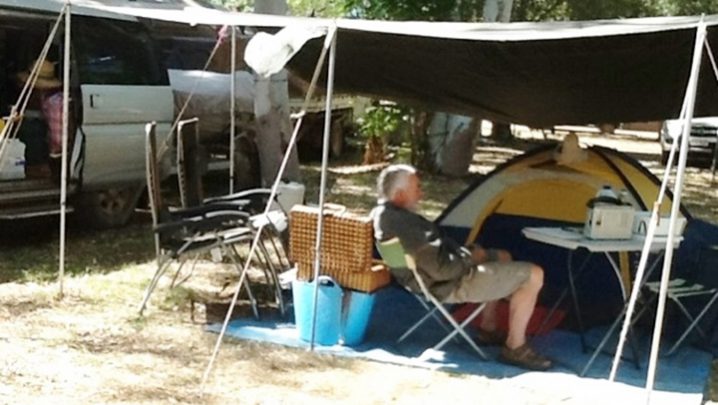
396 258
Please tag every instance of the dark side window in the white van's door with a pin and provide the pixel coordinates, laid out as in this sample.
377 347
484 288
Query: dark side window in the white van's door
116 53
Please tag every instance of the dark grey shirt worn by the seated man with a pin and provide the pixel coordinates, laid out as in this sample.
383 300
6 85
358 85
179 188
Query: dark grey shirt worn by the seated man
440 260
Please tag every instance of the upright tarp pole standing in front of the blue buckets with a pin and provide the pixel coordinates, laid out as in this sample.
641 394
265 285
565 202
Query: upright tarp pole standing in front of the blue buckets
323 181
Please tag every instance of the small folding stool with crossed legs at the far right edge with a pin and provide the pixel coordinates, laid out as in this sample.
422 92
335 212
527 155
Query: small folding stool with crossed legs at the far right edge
678 291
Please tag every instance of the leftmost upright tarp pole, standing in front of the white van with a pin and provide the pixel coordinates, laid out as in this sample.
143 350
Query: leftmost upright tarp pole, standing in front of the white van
63 158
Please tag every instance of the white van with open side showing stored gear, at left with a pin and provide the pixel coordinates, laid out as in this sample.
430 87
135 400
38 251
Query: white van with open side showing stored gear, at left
118 84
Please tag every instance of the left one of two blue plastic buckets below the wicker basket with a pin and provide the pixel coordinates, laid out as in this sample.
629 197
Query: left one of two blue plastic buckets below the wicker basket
329 310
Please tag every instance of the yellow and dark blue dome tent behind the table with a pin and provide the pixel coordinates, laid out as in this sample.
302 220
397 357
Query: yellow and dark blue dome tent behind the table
542 188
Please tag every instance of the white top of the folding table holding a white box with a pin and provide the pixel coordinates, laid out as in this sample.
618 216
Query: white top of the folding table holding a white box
573 238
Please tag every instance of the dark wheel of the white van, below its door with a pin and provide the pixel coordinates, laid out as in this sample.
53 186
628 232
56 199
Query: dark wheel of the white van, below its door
109 208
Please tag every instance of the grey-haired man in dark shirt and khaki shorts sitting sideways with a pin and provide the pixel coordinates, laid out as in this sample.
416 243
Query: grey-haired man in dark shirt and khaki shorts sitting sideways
455 274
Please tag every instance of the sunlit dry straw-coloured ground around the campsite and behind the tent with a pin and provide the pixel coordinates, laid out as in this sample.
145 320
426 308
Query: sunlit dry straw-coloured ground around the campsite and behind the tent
92 347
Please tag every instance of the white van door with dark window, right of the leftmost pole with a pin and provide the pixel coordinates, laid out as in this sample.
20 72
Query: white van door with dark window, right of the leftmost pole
123 87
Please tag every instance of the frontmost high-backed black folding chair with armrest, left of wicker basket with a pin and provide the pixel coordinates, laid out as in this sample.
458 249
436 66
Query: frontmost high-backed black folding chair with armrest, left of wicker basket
192 231
